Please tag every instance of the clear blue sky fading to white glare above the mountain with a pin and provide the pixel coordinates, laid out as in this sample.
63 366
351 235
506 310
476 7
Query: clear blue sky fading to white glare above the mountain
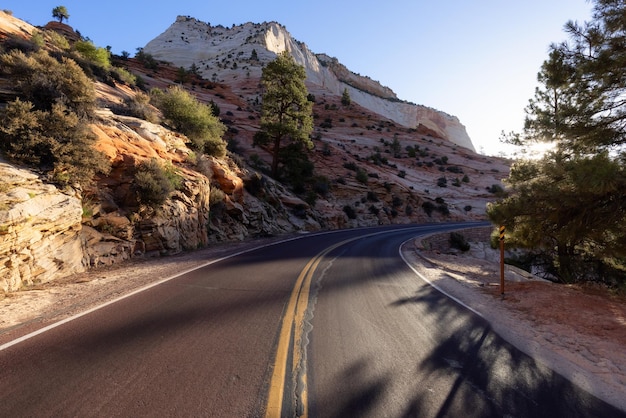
475 59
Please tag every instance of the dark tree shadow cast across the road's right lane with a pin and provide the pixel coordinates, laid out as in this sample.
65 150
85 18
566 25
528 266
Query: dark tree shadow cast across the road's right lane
490 377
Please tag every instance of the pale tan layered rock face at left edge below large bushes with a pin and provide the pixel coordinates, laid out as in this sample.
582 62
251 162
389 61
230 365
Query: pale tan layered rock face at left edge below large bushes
39 230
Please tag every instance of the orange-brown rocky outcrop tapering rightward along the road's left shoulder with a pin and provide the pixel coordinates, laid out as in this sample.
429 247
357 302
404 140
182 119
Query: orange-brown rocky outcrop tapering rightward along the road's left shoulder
118 228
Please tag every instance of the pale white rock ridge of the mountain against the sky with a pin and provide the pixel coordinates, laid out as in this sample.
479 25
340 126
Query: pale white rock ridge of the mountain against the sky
226 55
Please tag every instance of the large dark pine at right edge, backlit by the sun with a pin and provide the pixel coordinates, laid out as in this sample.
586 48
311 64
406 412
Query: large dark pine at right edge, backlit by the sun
571 204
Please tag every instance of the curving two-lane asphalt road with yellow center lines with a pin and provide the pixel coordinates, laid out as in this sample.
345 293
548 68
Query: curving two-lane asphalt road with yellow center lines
327 325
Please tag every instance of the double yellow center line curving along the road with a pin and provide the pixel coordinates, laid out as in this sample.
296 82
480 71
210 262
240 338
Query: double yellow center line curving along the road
292 329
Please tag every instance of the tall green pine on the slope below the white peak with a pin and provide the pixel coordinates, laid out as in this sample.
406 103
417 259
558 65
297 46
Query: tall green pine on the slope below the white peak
286 115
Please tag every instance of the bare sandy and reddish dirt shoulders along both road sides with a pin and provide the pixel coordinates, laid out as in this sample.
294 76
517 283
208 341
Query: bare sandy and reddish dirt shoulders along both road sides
580 332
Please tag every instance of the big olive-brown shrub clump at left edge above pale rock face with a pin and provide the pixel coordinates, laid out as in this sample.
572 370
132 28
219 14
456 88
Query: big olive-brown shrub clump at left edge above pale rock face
46 127
